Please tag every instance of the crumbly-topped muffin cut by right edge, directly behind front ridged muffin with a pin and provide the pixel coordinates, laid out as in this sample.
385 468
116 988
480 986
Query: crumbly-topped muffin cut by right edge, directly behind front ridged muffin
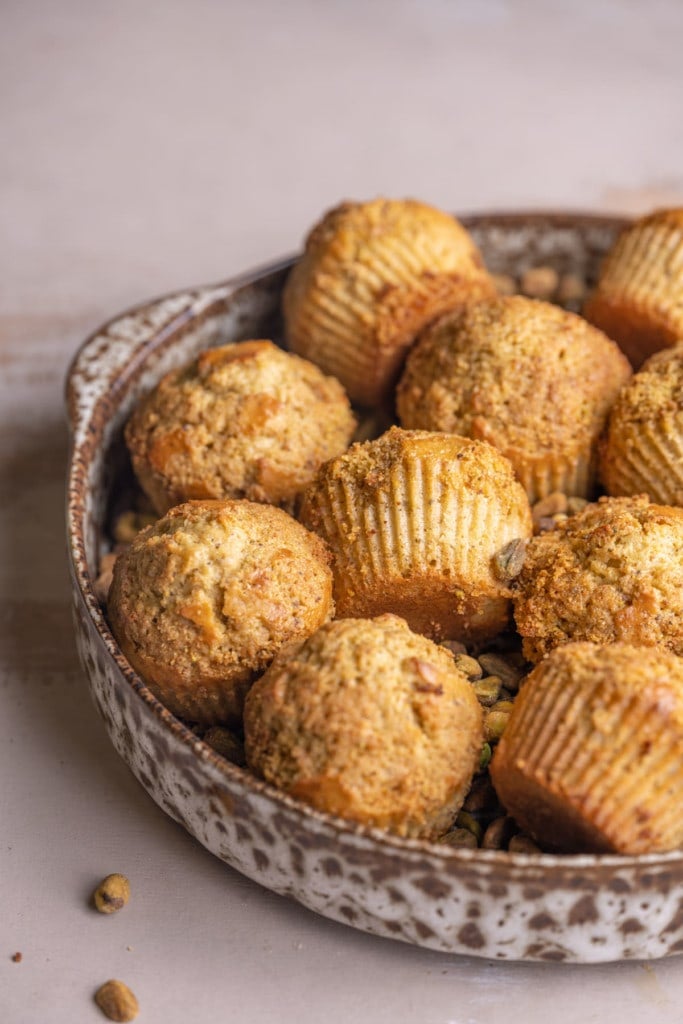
612 573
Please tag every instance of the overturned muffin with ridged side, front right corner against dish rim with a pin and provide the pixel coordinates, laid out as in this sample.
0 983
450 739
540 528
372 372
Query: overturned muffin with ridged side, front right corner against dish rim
592 757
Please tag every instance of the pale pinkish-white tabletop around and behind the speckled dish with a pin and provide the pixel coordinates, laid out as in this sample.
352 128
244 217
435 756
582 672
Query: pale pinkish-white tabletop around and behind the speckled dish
146 146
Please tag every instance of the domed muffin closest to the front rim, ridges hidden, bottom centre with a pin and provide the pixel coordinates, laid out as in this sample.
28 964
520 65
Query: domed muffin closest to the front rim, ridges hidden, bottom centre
368 721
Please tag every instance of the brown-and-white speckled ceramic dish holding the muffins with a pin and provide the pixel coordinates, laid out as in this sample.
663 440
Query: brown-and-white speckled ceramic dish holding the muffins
488 904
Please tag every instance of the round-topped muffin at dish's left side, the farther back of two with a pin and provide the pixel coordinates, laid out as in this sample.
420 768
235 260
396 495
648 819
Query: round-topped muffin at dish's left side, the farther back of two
241 421
